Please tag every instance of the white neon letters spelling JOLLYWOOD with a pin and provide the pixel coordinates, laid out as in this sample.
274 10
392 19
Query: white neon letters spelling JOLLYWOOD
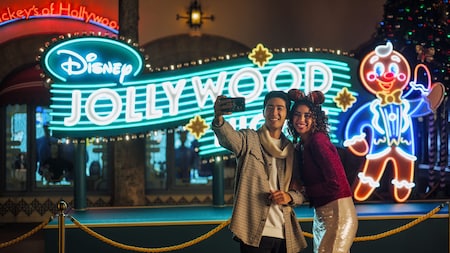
202 93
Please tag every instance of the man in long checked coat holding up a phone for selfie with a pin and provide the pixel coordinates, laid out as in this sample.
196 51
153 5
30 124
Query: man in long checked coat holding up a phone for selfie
263 220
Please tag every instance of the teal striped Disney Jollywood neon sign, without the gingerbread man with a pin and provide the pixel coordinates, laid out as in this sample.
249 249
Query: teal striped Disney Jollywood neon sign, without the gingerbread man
87 103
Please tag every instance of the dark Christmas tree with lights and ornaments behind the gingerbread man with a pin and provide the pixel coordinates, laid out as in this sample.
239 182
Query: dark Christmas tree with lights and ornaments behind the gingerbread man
419 29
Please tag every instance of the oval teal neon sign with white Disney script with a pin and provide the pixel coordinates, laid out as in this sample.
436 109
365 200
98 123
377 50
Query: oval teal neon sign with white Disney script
100 62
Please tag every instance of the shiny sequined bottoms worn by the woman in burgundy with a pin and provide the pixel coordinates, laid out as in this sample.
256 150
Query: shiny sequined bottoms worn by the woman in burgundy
334 226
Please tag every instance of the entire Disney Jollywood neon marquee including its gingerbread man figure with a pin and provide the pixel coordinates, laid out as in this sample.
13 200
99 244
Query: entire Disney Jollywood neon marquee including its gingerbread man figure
99 90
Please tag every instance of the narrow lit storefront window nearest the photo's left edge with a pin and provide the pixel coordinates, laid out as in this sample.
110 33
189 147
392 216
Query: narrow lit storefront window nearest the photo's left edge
17 158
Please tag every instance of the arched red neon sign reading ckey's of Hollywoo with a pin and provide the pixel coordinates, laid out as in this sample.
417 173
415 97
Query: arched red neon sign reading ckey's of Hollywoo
57 10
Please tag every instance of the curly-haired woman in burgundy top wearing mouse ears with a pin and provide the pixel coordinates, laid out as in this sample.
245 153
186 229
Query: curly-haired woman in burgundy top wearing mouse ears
322 173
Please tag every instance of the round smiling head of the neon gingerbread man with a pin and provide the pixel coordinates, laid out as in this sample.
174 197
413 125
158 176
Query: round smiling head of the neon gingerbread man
384 70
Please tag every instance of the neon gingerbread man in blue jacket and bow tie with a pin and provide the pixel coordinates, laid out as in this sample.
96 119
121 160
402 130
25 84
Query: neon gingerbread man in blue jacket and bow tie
382 129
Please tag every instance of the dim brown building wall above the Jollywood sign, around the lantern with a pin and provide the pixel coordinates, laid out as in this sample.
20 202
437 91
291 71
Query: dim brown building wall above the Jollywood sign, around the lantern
343 24
